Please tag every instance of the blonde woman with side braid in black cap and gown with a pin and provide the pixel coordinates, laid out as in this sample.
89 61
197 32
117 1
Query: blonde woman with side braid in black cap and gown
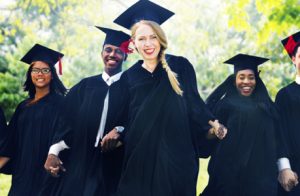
166 112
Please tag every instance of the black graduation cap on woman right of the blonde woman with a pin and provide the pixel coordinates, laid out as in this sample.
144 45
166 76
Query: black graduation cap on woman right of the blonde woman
244 61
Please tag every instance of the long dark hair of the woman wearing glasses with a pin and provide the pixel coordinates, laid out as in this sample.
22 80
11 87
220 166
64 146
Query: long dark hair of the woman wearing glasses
56 86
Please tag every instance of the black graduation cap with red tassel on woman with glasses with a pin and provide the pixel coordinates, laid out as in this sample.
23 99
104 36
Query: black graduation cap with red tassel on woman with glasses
42 53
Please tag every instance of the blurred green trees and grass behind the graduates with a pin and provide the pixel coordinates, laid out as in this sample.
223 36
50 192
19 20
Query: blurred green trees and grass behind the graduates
205 32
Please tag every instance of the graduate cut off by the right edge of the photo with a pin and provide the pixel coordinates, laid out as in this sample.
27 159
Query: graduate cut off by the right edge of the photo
288 102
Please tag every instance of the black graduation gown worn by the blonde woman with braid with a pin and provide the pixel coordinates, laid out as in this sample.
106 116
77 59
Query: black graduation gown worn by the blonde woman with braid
160 154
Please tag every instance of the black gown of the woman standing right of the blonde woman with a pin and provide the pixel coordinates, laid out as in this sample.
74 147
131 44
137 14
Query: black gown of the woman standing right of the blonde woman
244 162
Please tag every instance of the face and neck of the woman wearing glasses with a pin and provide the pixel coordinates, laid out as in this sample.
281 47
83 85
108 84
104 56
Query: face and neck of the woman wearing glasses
40 80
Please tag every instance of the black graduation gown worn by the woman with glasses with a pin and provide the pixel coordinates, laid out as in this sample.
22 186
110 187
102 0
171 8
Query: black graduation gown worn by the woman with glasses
31 131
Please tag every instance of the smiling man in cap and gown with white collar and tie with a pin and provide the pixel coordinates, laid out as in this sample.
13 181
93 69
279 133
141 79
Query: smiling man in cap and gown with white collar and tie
93 128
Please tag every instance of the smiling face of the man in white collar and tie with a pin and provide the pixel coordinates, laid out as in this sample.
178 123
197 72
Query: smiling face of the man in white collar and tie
113 58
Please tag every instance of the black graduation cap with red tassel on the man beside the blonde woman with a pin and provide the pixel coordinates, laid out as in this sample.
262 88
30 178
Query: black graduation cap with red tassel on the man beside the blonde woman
117 38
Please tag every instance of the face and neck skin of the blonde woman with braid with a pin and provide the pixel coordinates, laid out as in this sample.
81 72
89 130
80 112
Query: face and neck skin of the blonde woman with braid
148 46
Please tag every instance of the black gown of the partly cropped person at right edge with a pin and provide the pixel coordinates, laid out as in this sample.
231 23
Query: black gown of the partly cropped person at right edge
288 103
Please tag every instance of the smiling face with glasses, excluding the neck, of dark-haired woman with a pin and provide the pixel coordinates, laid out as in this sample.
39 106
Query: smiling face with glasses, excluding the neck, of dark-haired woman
41 75
